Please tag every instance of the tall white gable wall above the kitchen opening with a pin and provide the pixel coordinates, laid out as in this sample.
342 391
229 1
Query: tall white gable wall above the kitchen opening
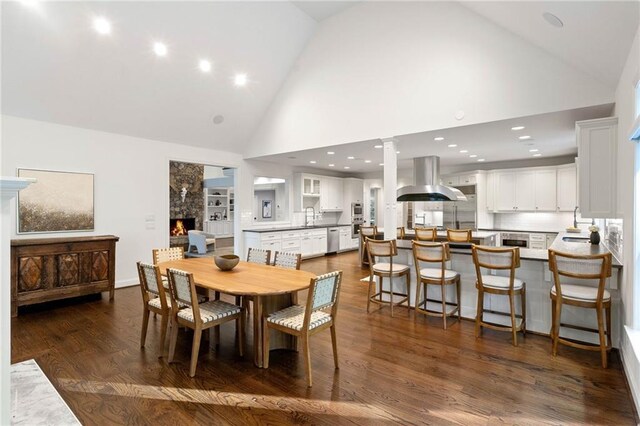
381 69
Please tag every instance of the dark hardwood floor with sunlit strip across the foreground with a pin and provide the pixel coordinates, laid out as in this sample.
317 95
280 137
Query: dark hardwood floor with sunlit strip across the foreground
392 370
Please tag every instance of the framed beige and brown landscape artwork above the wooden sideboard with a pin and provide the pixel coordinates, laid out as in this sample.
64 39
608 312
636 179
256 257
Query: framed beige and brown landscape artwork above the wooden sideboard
56 202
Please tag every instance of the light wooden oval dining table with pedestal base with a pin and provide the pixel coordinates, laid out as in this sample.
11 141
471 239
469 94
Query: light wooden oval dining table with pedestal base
271 288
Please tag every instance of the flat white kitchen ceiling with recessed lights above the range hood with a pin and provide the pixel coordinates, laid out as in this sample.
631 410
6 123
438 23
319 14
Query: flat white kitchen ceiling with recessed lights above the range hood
553 134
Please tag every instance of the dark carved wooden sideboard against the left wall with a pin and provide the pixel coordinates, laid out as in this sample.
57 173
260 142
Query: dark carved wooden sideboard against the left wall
46 269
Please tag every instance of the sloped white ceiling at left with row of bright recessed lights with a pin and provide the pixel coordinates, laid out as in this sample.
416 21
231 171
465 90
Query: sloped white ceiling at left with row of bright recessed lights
56 68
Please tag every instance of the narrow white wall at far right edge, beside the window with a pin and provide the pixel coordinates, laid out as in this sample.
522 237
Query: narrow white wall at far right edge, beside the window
628 173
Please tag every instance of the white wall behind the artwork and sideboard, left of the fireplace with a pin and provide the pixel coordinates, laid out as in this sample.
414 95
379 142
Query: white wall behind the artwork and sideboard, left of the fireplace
131 180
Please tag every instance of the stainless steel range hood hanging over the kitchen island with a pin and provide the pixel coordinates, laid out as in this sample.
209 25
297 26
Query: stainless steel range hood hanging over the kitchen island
426 178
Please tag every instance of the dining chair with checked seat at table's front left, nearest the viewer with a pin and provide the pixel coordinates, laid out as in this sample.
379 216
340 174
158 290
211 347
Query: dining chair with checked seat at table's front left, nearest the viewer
198 316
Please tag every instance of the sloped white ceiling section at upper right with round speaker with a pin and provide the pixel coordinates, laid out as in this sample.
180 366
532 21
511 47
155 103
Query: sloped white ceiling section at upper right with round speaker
596 36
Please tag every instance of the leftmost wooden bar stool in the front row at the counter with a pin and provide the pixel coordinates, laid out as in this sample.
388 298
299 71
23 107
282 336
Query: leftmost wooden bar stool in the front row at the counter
386 249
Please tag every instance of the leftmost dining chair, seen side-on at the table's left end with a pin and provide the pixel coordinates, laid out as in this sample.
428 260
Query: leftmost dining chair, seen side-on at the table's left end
154 299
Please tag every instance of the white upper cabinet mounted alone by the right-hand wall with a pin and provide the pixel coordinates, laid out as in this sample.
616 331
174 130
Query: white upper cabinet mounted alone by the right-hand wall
597 154
